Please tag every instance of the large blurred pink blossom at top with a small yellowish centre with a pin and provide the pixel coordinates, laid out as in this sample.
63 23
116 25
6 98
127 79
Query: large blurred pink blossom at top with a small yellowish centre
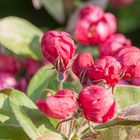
93 30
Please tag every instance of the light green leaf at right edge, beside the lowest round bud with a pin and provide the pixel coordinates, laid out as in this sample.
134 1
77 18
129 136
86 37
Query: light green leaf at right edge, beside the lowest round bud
126 95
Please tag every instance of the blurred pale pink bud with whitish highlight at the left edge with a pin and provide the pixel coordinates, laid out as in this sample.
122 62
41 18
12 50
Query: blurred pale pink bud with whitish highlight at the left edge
7 80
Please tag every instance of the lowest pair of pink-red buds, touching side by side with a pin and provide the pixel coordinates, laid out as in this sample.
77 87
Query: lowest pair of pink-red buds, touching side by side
96 103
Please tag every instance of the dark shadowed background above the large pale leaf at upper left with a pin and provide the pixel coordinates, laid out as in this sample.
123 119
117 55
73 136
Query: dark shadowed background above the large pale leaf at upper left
26 10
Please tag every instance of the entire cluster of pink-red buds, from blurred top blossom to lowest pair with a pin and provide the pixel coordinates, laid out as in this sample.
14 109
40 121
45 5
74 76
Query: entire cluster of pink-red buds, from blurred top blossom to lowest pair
118 61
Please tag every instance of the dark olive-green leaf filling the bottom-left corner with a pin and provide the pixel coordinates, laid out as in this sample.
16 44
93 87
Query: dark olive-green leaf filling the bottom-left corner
12 132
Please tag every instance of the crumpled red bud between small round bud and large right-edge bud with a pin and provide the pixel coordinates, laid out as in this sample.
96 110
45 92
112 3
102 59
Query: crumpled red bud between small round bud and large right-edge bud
106 68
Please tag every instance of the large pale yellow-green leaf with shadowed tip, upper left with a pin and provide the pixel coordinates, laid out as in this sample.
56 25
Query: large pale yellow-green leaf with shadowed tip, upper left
20 37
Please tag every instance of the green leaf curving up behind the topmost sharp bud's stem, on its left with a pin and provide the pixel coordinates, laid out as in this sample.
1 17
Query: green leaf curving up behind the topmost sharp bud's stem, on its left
40 80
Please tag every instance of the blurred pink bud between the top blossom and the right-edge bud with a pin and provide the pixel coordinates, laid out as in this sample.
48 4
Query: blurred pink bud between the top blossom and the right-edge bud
114 43
